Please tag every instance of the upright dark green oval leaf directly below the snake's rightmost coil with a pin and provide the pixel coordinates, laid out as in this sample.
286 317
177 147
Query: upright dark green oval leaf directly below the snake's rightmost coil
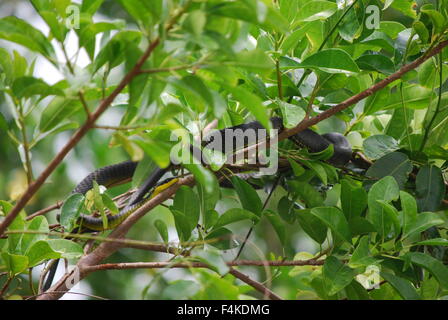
353 199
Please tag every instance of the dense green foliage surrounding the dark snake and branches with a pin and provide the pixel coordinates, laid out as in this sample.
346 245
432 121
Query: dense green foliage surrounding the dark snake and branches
373 229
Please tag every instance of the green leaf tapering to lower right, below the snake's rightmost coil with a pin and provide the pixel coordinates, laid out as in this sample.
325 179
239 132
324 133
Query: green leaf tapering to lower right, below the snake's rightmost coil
334 219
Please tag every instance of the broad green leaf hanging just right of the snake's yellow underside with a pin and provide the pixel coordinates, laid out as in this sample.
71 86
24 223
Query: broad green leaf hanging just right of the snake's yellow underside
187 202
